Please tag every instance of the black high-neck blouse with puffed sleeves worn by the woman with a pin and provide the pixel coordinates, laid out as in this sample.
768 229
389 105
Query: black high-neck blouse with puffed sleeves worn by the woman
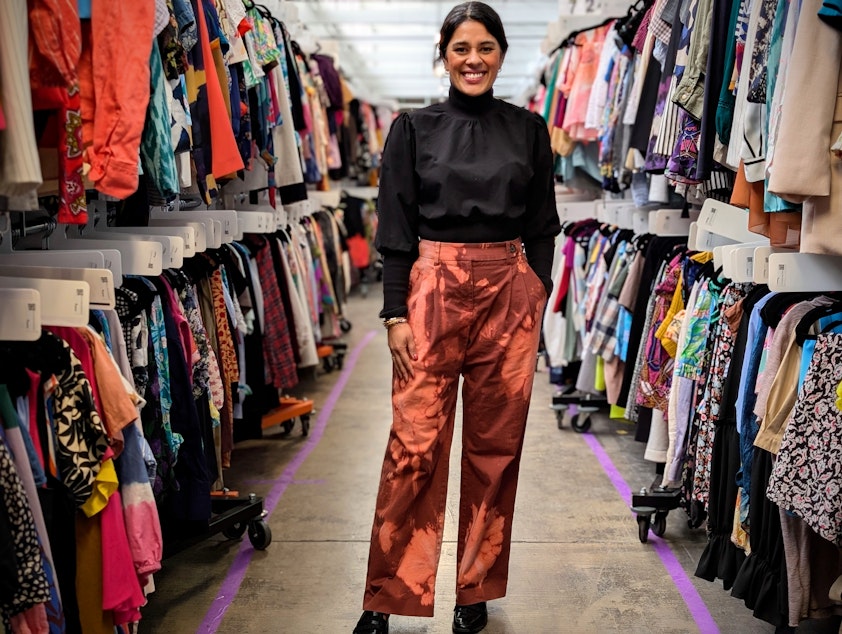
471 169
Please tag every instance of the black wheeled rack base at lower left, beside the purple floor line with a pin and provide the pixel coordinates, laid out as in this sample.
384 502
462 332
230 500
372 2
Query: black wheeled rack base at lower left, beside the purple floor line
233 515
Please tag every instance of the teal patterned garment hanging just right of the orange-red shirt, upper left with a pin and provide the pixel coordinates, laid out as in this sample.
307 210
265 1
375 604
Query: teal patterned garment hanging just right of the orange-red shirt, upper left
157 157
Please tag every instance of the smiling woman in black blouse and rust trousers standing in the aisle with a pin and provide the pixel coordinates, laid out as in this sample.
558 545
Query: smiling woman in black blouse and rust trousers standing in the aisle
465 185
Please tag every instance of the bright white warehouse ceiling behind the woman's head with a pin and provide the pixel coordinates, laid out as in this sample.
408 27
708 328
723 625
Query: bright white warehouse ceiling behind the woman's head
387 47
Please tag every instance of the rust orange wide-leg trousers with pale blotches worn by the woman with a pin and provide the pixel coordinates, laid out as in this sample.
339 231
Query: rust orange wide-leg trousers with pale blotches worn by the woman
475 311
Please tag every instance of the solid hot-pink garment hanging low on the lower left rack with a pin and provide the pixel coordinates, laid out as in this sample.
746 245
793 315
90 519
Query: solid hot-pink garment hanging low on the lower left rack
121 590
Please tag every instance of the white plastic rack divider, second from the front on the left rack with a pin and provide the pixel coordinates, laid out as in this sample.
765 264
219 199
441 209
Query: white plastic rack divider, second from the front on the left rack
68 303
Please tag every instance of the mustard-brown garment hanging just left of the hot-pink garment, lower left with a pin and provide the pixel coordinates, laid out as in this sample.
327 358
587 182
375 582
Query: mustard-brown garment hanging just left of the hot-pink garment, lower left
89 577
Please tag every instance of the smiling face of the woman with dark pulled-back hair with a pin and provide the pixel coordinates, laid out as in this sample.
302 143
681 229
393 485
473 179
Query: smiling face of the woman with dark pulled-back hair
473 58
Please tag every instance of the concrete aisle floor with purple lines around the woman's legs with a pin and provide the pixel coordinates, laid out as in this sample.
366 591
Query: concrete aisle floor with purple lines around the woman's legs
576 566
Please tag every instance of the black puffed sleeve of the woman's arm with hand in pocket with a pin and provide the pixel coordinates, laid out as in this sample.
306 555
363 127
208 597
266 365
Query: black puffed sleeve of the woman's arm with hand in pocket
541 224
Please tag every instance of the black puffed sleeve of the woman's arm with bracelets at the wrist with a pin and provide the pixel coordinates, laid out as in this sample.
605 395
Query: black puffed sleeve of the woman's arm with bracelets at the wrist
397 210
